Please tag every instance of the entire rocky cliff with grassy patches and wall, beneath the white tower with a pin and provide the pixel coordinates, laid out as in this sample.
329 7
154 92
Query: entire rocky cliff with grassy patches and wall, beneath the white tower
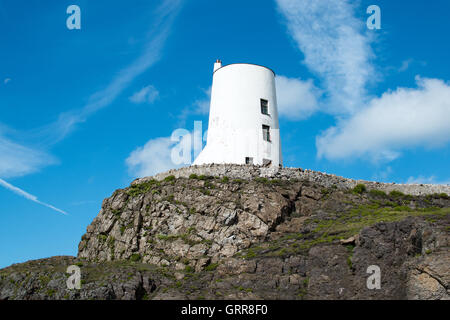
224 232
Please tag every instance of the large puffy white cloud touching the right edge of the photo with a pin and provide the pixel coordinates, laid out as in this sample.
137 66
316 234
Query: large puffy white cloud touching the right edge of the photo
400 119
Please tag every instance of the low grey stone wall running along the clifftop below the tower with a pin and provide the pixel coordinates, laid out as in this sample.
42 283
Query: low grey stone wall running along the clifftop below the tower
234 171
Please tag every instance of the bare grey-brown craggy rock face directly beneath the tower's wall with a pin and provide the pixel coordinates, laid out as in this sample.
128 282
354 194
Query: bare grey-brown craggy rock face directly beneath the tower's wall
192 218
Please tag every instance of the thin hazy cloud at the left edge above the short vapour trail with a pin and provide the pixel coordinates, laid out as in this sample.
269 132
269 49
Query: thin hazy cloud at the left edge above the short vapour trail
18 160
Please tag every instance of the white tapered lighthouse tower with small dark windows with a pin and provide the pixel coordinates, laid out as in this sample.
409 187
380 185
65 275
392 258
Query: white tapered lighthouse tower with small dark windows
243 117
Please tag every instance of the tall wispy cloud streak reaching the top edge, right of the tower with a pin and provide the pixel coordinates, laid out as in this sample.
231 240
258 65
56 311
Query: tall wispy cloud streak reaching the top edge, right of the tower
334 47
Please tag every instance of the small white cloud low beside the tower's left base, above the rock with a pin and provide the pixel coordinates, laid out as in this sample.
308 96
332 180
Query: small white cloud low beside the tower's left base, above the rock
154 157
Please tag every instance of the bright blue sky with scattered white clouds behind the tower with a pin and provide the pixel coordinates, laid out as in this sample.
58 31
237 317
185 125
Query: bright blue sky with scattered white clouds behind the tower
84 112
